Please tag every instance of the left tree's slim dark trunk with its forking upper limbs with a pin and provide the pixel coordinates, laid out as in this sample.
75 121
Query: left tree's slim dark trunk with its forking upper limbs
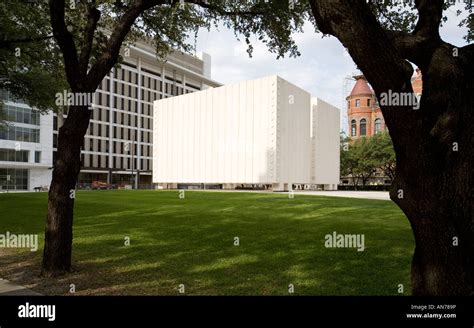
82 76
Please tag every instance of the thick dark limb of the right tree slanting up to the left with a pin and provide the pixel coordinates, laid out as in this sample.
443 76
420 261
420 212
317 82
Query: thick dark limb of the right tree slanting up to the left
379 58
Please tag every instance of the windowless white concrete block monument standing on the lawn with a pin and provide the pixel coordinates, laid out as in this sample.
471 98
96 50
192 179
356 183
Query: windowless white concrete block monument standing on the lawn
261 132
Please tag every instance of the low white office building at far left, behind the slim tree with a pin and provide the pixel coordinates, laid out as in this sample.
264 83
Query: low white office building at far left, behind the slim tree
26 147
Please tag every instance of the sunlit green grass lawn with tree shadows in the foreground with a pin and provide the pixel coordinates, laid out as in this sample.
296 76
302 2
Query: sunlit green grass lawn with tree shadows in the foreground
190 241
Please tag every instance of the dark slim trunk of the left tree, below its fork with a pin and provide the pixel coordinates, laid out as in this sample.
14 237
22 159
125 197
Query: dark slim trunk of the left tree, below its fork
59 224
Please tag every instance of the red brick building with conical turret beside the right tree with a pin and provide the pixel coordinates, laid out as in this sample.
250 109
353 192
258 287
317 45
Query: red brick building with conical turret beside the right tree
363 112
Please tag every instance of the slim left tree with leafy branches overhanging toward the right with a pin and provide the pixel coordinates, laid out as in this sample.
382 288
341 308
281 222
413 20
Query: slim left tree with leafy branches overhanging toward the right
90 34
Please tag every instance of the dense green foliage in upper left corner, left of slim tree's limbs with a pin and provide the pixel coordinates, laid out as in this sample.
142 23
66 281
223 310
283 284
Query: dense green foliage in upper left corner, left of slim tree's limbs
30 65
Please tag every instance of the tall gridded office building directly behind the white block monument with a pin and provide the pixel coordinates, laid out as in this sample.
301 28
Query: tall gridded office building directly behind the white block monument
118 145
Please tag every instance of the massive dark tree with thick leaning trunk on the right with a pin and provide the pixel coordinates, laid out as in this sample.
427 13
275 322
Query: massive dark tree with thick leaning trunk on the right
434 177
